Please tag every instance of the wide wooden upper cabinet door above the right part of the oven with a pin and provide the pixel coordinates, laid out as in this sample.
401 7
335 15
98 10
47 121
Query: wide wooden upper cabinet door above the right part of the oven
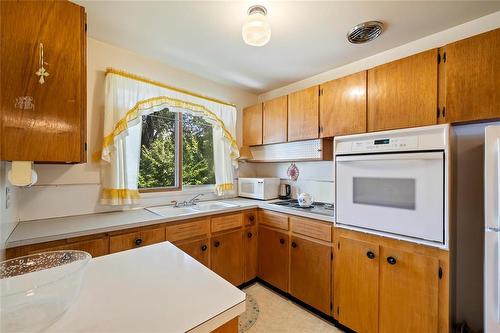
403 93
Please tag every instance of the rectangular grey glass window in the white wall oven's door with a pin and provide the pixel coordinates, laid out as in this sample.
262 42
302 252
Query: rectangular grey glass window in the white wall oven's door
386 192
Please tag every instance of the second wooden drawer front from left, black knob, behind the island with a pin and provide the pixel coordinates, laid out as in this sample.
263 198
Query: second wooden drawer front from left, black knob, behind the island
131 240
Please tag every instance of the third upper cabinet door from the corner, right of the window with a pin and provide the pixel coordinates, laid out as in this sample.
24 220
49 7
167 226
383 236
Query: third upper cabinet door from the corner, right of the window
303 114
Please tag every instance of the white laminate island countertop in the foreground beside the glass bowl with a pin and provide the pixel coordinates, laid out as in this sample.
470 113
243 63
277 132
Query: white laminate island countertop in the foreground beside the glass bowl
156 288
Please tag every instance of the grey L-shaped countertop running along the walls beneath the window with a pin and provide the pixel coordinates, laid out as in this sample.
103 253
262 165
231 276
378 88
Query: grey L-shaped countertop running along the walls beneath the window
40 231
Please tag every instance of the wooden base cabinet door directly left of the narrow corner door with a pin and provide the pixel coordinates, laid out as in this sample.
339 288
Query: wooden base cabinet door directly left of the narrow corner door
227 256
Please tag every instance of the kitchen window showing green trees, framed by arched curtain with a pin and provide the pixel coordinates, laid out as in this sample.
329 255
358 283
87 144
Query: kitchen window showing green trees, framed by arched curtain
176 152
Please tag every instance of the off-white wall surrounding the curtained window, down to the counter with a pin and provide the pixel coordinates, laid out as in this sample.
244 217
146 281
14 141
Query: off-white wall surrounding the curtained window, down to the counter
74 189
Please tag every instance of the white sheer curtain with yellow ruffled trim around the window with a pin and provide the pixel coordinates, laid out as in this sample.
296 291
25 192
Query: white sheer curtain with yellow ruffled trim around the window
128 98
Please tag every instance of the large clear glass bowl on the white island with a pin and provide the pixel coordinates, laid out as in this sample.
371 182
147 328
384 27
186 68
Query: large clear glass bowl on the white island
37 289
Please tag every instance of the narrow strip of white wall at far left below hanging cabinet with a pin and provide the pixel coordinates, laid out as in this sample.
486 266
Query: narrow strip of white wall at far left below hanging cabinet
8 208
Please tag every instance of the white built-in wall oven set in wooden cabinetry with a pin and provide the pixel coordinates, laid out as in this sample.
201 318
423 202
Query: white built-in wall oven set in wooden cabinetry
395 183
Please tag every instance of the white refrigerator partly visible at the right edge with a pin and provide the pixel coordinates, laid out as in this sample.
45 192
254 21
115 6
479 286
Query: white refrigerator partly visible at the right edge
492 230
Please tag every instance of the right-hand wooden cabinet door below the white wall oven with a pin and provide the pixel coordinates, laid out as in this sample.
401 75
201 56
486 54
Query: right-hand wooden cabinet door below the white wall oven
408 292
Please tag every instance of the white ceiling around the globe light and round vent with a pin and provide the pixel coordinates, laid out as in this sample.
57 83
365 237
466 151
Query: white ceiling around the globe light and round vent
307 37
